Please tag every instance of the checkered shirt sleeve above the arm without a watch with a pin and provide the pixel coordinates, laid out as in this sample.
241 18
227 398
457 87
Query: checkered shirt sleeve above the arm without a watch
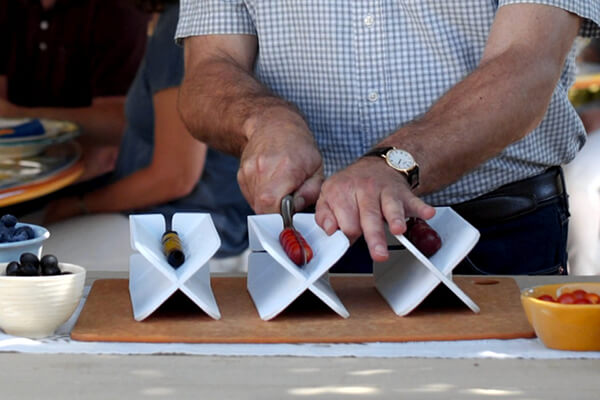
213 17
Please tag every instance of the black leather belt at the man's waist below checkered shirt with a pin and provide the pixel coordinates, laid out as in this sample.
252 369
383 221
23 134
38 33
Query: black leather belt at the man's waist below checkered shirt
514 199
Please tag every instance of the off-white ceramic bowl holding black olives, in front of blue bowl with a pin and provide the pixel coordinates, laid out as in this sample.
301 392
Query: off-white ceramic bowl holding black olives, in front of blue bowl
35 306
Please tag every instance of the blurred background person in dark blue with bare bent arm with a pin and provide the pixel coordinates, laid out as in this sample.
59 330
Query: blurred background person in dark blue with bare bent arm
161 167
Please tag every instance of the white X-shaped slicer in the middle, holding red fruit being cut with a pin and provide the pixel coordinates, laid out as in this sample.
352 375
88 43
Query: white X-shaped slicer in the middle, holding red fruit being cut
274 281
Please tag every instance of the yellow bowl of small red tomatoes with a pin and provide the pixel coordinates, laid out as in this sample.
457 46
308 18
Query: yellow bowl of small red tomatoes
565 316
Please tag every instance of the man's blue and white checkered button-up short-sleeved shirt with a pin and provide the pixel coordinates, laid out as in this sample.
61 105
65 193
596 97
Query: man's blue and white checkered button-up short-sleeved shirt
359 69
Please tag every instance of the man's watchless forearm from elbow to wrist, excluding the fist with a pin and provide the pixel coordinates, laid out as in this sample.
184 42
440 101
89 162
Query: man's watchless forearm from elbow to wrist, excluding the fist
222 104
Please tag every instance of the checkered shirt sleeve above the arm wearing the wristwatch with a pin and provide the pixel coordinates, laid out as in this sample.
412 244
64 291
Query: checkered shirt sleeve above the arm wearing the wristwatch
589 10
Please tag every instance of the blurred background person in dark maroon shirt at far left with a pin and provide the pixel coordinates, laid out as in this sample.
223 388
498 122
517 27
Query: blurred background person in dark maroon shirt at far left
71 60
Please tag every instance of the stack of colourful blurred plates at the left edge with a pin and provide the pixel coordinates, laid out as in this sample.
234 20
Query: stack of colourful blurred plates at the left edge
37 156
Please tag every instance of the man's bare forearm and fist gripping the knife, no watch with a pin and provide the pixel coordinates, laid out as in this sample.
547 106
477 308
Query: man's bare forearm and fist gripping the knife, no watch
225 106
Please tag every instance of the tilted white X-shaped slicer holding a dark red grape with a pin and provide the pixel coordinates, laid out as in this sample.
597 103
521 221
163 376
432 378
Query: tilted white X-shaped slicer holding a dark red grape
408 276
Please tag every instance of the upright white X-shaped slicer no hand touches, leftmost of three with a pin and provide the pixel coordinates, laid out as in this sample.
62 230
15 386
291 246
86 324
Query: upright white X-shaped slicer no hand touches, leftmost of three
152 280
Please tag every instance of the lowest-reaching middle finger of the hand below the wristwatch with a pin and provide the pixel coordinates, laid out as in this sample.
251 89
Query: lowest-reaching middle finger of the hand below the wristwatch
371 222
